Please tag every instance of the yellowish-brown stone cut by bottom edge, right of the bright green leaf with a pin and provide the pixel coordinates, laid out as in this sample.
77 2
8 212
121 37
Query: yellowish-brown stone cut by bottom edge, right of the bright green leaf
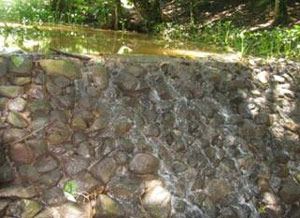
107 207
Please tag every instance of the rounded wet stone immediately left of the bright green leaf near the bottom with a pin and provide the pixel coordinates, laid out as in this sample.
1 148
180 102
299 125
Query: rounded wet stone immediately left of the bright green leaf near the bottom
53 197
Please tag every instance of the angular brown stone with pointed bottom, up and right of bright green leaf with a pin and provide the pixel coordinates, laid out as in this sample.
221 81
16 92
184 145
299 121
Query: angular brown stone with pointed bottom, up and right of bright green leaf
105 169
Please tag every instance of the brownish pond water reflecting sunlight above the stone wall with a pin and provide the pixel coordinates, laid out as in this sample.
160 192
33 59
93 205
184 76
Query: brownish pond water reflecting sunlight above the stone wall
92 41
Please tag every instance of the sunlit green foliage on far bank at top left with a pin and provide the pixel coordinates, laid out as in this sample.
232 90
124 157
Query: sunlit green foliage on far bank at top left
96 12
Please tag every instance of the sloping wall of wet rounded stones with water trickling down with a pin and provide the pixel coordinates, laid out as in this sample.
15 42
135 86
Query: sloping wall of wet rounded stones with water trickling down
148 137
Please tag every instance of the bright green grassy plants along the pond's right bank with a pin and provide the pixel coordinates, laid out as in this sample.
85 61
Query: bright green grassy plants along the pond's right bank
277 42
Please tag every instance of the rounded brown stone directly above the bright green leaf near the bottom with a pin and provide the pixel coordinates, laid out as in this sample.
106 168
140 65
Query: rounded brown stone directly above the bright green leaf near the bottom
75 165
